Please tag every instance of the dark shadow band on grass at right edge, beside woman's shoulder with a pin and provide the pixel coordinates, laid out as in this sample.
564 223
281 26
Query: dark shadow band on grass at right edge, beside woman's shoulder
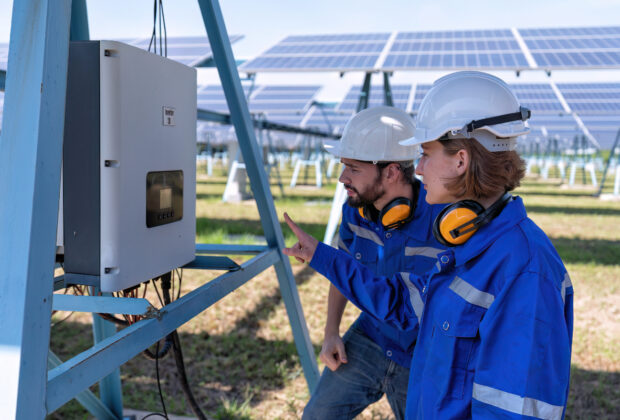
597 251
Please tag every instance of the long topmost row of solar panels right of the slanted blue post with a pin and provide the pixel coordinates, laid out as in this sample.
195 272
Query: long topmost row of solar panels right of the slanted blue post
498 49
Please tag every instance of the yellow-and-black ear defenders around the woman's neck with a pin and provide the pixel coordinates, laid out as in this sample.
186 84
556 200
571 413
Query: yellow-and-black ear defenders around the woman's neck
456 223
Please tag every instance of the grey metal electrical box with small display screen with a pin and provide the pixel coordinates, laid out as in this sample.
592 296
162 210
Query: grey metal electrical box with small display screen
129 168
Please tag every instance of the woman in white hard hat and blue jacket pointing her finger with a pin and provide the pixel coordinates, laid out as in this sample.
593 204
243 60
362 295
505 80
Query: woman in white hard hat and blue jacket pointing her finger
495 315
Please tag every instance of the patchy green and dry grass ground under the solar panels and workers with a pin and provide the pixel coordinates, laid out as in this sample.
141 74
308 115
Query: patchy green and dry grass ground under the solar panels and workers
240 356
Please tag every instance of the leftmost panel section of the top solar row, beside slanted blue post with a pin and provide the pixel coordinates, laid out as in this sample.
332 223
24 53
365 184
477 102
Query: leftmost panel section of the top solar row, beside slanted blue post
343 52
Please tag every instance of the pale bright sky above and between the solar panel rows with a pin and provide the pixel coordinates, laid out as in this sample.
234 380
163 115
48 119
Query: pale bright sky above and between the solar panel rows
265 22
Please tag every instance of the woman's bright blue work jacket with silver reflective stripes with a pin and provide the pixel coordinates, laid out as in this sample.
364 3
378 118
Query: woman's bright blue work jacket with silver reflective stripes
495 318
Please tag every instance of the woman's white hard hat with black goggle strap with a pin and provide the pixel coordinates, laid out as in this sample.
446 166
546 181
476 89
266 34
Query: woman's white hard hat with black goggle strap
471 104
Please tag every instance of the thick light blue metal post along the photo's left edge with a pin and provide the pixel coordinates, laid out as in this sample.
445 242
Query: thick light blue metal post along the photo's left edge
30 155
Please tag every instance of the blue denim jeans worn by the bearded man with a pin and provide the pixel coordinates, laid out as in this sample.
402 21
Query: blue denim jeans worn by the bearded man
355 385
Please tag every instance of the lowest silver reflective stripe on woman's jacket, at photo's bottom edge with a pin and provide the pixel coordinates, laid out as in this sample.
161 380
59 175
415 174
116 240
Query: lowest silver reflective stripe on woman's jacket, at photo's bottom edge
516 404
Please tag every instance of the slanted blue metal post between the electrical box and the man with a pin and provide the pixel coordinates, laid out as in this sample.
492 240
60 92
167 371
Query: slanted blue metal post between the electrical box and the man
227 70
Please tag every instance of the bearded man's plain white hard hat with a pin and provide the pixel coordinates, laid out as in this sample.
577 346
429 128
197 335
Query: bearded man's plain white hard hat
373 135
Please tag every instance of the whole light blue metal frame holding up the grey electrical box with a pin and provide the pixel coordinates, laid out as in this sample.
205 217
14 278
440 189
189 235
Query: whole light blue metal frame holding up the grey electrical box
30 156
